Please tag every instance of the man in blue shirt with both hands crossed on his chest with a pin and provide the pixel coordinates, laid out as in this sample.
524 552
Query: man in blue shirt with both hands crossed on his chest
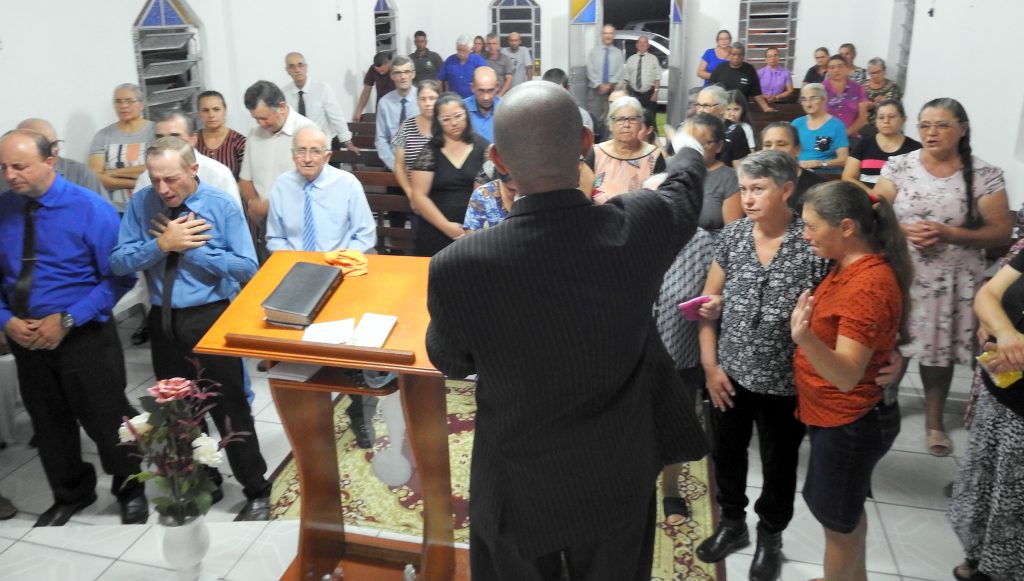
193 243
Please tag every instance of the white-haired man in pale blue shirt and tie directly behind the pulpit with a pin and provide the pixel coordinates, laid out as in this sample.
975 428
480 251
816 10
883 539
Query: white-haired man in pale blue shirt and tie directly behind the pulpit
320 209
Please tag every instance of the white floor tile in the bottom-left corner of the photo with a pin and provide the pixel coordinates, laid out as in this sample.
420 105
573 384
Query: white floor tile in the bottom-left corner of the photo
27 561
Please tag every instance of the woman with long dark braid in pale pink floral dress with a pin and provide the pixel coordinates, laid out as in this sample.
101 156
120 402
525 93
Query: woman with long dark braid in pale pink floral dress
952 206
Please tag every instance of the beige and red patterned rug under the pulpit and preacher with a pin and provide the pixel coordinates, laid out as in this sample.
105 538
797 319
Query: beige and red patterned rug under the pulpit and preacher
367 502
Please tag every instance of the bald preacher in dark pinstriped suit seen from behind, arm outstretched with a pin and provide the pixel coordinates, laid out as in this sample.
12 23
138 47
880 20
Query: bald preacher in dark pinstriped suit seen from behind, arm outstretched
579 406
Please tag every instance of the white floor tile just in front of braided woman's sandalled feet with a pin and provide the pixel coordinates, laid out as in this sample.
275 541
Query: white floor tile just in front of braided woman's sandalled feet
910 479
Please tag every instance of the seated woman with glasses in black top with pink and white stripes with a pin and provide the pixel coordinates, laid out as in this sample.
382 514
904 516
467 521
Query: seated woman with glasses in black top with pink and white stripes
867 158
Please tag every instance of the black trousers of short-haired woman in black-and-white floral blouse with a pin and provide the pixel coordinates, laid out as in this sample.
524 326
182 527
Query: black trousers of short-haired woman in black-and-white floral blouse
780 435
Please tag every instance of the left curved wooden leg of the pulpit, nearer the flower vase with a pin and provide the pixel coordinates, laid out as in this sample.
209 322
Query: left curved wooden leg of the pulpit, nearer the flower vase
309 421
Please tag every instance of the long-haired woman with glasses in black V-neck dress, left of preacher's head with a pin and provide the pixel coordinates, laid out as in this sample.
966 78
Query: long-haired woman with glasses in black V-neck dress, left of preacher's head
443 176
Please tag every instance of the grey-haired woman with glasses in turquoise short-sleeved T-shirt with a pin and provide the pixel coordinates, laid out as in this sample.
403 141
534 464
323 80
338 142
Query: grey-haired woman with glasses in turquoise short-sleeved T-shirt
823 138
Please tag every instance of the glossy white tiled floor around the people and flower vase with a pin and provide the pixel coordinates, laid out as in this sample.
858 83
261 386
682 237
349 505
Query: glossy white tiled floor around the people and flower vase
909 535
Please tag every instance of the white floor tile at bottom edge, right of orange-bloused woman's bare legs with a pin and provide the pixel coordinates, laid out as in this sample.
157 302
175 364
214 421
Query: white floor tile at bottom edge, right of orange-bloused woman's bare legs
923 542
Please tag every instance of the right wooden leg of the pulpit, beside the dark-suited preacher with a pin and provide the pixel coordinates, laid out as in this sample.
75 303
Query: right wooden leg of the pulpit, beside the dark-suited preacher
426 421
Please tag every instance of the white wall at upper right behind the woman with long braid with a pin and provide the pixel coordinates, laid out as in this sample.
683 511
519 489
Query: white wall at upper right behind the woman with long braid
948 59
